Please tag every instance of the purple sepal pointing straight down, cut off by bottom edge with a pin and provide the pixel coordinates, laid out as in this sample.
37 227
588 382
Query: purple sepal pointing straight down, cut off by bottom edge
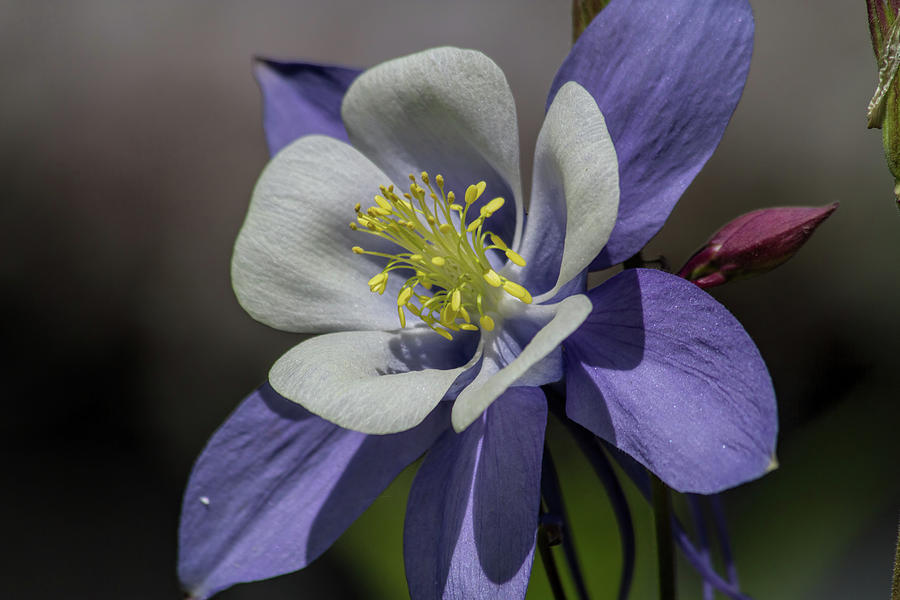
472 514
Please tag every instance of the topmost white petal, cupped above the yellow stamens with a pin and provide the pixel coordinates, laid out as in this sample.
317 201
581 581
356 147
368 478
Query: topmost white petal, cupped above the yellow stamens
447 111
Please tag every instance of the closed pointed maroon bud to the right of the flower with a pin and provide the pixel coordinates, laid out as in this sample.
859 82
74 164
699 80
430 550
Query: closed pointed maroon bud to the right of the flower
753 244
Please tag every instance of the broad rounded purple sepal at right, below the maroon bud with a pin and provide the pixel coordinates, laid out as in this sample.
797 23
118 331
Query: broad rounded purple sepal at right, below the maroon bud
665 373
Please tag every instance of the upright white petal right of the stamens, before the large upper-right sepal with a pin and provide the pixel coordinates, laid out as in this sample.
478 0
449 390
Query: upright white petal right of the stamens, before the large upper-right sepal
575 194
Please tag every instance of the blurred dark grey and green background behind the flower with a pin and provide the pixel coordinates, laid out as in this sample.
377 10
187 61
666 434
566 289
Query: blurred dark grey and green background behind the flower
130 139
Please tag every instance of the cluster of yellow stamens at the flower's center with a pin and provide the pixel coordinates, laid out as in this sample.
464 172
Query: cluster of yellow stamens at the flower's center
453 285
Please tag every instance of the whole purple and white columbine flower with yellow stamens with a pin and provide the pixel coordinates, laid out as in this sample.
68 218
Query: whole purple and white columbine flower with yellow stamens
489 299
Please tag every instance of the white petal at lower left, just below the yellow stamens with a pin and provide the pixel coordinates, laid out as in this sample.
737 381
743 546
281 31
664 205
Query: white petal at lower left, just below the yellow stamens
371 381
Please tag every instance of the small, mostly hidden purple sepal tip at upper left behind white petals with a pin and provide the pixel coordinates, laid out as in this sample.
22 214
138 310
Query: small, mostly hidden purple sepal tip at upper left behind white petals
301 99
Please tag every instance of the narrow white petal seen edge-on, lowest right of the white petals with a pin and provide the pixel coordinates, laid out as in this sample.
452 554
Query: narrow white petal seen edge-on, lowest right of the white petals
489 385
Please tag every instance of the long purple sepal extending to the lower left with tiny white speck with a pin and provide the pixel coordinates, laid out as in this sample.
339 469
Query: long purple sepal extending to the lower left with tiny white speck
276 486
